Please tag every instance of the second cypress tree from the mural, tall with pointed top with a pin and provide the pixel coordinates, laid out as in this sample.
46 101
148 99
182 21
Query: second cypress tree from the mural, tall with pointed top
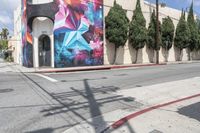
137 30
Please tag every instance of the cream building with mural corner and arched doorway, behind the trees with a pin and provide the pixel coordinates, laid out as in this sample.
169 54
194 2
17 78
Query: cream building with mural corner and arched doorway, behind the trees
68 33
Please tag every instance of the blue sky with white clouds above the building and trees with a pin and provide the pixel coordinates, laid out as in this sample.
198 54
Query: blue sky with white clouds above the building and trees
7 7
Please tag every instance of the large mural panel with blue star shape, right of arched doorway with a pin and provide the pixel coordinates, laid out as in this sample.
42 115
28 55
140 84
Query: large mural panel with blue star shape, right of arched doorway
78 33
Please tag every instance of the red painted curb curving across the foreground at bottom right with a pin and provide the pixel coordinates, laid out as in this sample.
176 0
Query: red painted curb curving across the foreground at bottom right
122 121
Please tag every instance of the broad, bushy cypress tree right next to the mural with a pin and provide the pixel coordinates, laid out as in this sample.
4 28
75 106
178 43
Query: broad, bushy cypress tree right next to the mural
117 27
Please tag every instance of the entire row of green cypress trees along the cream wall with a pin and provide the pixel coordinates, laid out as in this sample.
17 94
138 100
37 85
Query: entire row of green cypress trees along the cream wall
119 30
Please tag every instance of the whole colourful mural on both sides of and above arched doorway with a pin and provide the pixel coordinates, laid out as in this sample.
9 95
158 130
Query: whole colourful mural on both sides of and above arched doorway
78 31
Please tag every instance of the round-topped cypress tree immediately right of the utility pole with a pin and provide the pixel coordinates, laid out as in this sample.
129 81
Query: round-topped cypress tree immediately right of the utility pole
167 33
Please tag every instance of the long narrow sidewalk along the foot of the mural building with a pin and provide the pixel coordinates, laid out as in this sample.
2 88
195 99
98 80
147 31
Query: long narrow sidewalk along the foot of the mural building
18 68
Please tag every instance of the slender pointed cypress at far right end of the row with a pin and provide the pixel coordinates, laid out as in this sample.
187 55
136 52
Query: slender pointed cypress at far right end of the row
193 44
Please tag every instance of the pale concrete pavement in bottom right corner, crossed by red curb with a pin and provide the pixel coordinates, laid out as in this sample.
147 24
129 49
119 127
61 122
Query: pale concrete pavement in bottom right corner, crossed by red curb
167 107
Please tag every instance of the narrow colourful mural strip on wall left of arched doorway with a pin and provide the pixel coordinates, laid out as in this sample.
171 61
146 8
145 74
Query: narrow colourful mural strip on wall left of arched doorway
27 42
